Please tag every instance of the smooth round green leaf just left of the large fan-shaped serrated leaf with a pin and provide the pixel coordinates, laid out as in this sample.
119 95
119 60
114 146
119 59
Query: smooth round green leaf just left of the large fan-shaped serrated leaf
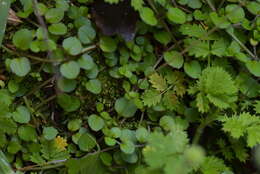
192 69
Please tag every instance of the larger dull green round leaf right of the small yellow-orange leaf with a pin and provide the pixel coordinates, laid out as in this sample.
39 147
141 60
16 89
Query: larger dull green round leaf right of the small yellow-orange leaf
86 142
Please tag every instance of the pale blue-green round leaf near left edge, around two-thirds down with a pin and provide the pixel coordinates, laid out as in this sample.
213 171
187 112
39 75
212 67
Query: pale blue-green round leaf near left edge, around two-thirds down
21 115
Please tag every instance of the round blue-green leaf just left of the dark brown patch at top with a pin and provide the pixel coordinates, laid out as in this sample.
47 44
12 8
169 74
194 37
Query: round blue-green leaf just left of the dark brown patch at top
86 34
